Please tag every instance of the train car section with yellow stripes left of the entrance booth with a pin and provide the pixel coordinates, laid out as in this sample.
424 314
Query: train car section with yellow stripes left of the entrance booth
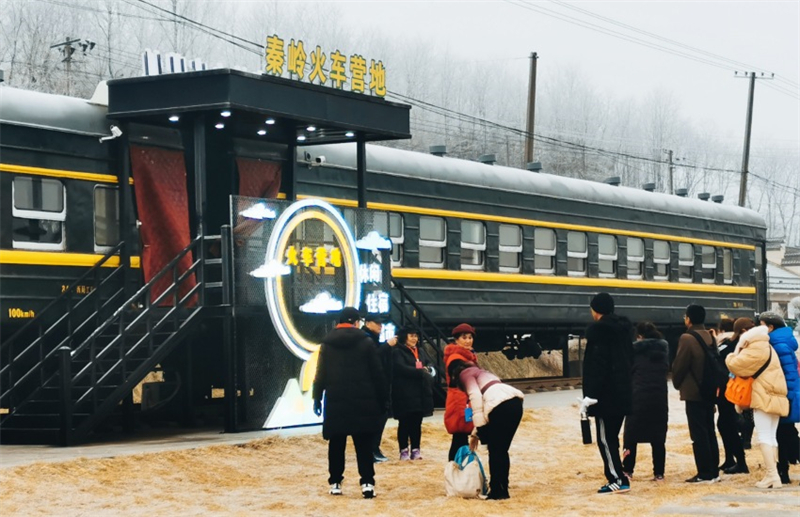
59 207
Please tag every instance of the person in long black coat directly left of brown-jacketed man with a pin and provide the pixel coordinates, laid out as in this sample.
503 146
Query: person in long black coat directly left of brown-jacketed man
647 422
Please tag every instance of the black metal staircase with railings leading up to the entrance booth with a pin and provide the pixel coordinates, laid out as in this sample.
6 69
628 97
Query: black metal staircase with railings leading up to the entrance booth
57 387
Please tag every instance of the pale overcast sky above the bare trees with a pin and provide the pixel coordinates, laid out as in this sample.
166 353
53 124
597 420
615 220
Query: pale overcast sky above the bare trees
759 34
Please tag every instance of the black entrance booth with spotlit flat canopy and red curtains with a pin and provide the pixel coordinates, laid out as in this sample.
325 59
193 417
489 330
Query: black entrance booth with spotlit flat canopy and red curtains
198 149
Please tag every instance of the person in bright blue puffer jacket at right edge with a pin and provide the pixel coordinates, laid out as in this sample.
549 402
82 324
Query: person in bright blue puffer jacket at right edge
785 345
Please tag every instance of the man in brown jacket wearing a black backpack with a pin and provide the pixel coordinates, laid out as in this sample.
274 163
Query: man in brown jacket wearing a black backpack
687 377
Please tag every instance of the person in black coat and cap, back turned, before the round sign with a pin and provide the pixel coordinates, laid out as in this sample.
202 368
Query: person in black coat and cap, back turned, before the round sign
350 376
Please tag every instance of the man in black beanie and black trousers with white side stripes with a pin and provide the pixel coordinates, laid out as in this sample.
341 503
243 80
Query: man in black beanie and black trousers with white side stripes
607 379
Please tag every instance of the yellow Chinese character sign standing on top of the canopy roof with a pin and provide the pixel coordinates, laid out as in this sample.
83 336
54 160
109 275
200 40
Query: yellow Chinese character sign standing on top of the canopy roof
343 72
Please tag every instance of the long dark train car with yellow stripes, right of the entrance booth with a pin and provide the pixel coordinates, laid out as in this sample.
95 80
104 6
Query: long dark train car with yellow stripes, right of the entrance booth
518 253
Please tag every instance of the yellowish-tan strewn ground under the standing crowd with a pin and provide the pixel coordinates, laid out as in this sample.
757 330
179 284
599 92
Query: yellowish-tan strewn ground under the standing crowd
552 474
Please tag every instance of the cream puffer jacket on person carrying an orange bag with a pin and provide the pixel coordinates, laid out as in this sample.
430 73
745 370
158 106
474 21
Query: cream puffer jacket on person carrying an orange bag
769 388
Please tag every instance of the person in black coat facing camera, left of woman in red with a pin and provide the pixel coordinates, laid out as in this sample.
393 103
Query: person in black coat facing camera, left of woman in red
412 392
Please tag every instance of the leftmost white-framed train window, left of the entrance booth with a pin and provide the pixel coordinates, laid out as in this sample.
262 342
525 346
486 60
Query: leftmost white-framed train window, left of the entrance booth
38 212
